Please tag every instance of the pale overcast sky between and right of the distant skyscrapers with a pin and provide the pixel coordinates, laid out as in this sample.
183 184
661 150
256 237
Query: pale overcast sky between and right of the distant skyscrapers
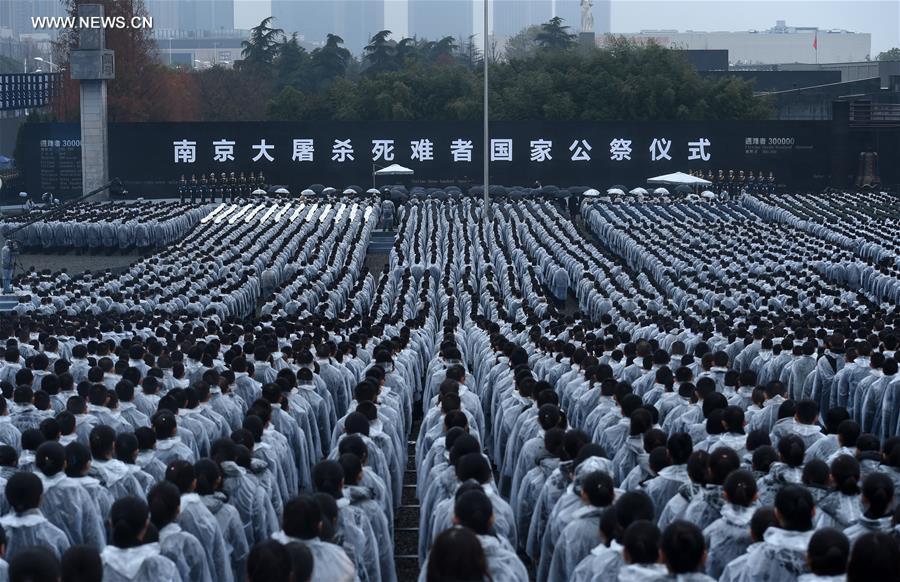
879 17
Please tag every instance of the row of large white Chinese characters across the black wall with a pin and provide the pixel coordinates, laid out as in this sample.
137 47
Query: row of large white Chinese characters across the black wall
425 150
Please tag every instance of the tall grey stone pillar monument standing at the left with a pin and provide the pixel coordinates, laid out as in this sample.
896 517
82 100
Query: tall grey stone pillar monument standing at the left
92 64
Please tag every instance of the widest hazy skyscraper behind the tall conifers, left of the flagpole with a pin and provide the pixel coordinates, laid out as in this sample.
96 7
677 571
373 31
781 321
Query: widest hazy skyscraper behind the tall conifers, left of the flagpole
353 20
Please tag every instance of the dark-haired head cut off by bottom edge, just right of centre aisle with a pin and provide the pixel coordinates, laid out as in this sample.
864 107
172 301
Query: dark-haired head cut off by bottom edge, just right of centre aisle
457 555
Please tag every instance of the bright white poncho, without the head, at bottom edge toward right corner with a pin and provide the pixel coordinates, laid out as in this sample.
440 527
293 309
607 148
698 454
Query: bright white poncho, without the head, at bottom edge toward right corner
782 556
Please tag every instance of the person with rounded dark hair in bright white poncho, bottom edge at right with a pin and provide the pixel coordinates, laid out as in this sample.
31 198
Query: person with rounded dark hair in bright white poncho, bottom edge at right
783 553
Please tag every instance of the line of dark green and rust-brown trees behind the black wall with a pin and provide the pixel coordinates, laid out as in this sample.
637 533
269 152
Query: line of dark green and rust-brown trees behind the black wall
543 74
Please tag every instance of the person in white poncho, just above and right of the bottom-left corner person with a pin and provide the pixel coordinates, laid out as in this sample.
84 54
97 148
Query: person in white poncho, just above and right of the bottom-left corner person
65 503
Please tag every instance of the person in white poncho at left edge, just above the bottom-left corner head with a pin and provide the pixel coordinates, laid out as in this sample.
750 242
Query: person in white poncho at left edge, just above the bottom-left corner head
25 526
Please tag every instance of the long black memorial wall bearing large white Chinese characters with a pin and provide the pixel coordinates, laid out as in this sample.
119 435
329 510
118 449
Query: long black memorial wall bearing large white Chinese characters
151 157
